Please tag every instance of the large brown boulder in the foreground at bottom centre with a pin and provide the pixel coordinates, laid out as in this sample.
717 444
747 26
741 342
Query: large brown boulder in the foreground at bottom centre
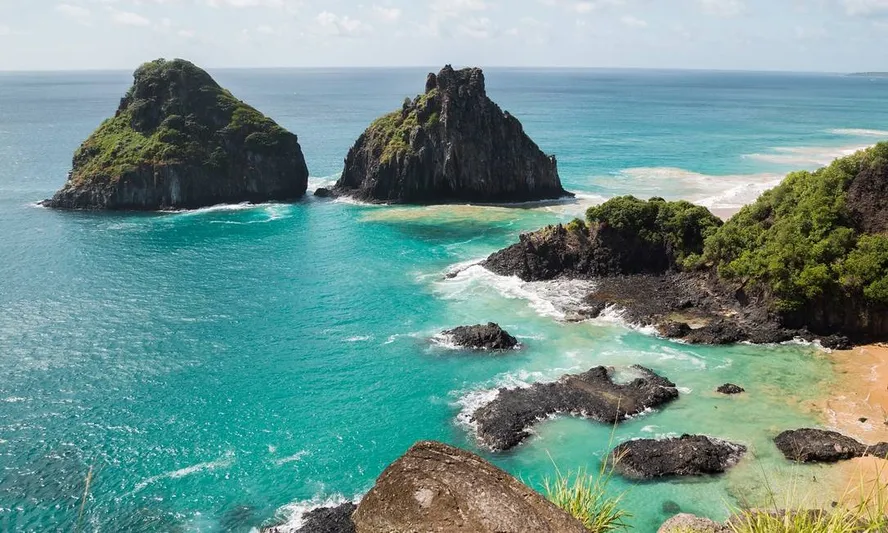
438 488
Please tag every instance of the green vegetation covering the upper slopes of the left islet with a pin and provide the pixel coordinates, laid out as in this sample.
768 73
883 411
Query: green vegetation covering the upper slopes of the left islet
174 113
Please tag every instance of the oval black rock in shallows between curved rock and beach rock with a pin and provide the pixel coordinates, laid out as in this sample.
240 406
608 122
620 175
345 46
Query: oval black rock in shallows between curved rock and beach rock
689 455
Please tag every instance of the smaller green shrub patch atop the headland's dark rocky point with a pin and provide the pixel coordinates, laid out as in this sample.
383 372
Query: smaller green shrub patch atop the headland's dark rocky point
680 227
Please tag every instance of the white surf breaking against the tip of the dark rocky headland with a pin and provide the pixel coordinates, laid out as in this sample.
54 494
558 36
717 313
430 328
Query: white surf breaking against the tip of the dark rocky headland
559 299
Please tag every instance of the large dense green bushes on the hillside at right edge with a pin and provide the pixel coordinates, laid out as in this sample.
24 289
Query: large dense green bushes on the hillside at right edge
798 241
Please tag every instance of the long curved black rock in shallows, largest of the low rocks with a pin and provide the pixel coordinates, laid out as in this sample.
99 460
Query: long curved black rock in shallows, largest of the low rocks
505 422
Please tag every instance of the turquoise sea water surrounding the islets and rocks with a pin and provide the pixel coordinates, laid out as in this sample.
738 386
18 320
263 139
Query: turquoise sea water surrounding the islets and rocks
220 368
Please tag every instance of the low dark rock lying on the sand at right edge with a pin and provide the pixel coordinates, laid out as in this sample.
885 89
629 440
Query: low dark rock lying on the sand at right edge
821 446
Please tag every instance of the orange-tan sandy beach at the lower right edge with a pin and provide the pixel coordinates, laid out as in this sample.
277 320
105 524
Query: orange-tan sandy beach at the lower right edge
857 406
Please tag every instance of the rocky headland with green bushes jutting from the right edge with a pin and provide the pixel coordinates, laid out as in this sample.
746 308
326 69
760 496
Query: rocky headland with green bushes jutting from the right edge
808 259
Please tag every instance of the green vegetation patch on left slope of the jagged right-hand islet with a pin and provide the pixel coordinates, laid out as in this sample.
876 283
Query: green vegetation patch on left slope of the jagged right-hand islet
391 132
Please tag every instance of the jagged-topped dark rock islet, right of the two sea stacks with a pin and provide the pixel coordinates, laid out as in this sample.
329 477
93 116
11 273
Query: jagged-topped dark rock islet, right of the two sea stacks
450 144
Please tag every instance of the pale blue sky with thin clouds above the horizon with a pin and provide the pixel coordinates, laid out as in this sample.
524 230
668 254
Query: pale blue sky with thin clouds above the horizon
788 35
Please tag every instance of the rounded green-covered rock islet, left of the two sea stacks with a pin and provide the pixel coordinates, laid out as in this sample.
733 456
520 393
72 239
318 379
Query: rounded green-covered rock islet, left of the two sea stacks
180 141
